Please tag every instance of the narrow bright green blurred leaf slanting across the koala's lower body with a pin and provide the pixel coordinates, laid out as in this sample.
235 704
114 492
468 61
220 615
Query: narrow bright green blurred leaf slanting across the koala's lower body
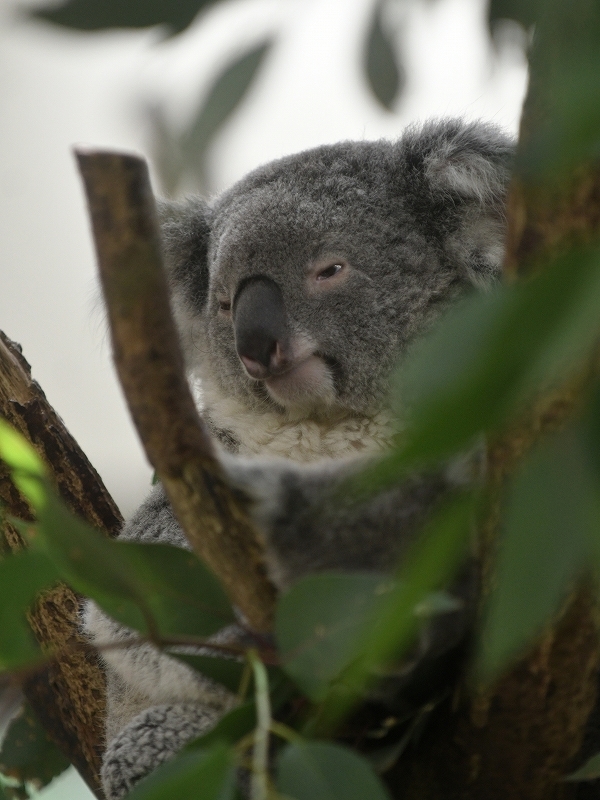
429 565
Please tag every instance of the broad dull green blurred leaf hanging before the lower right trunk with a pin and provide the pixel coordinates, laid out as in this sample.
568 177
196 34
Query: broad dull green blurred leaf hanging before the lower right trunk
552 519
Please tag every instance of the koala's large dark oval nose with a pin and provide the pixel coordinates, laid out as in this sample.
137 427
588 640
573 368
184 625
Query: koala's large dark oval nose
260 327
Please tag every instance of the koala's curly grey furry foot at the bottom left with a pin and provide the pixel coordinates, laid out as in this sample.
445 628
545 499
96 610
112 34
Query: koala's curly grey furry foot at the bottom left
151 738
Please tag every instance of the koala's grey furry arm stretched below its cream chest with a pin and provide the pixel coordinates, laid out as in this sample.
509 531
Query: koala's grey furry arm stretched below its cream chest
309 526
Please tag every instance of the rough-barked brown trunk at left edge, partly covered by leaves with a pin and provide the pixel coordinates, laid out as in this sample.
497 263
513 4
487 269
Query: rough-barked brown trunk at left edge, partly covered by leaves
68 695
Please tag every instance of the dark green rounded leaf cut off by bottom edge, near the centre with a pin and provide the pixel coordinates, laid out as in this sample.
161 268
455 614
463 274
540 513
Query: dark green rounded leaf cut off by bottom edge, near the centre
325 771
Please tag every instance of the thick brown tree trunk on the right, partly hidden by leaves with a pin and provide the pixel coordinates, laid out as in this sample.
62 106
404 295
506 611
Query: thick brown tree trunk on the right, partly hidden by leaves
520 737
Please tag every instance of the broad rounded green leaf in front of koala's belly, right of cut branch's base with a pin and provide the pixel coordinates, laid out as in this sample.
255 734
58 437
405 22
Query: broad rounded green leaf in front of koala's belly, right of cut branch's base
319 622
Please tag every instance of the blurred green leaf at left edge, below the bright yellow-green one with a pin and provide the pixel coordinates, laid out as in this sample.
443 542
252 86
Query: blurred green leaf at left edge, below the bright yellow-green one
22 577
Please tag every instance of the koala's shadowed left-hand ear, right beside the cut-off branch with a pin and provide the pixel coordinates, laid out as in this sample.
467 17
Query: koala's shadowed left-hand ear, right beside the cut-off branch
185 229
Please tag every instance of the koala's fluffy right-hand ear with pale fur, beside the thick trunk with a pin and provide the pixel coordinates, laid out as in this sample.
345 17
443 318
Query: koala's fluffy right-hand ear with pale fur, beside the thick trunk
464 170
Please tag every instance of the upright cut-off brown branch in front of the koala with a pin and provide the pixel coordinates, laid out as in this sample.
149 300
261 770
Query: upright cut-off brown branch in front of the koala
150 367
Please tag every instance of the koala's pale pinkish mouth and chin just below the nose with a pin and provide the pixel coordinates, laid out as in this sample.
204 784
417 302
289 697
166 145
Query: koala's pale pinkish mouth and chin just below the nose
307 384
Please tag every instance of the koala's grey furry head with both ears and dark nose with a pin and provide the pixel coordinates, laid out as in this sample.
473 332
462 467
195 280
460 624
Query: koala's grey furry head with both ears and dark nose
299 288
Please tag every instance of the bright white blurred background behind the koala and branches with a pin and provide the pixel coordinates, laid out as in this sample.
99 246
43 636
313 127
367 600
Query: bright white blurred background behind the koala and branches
245 82
